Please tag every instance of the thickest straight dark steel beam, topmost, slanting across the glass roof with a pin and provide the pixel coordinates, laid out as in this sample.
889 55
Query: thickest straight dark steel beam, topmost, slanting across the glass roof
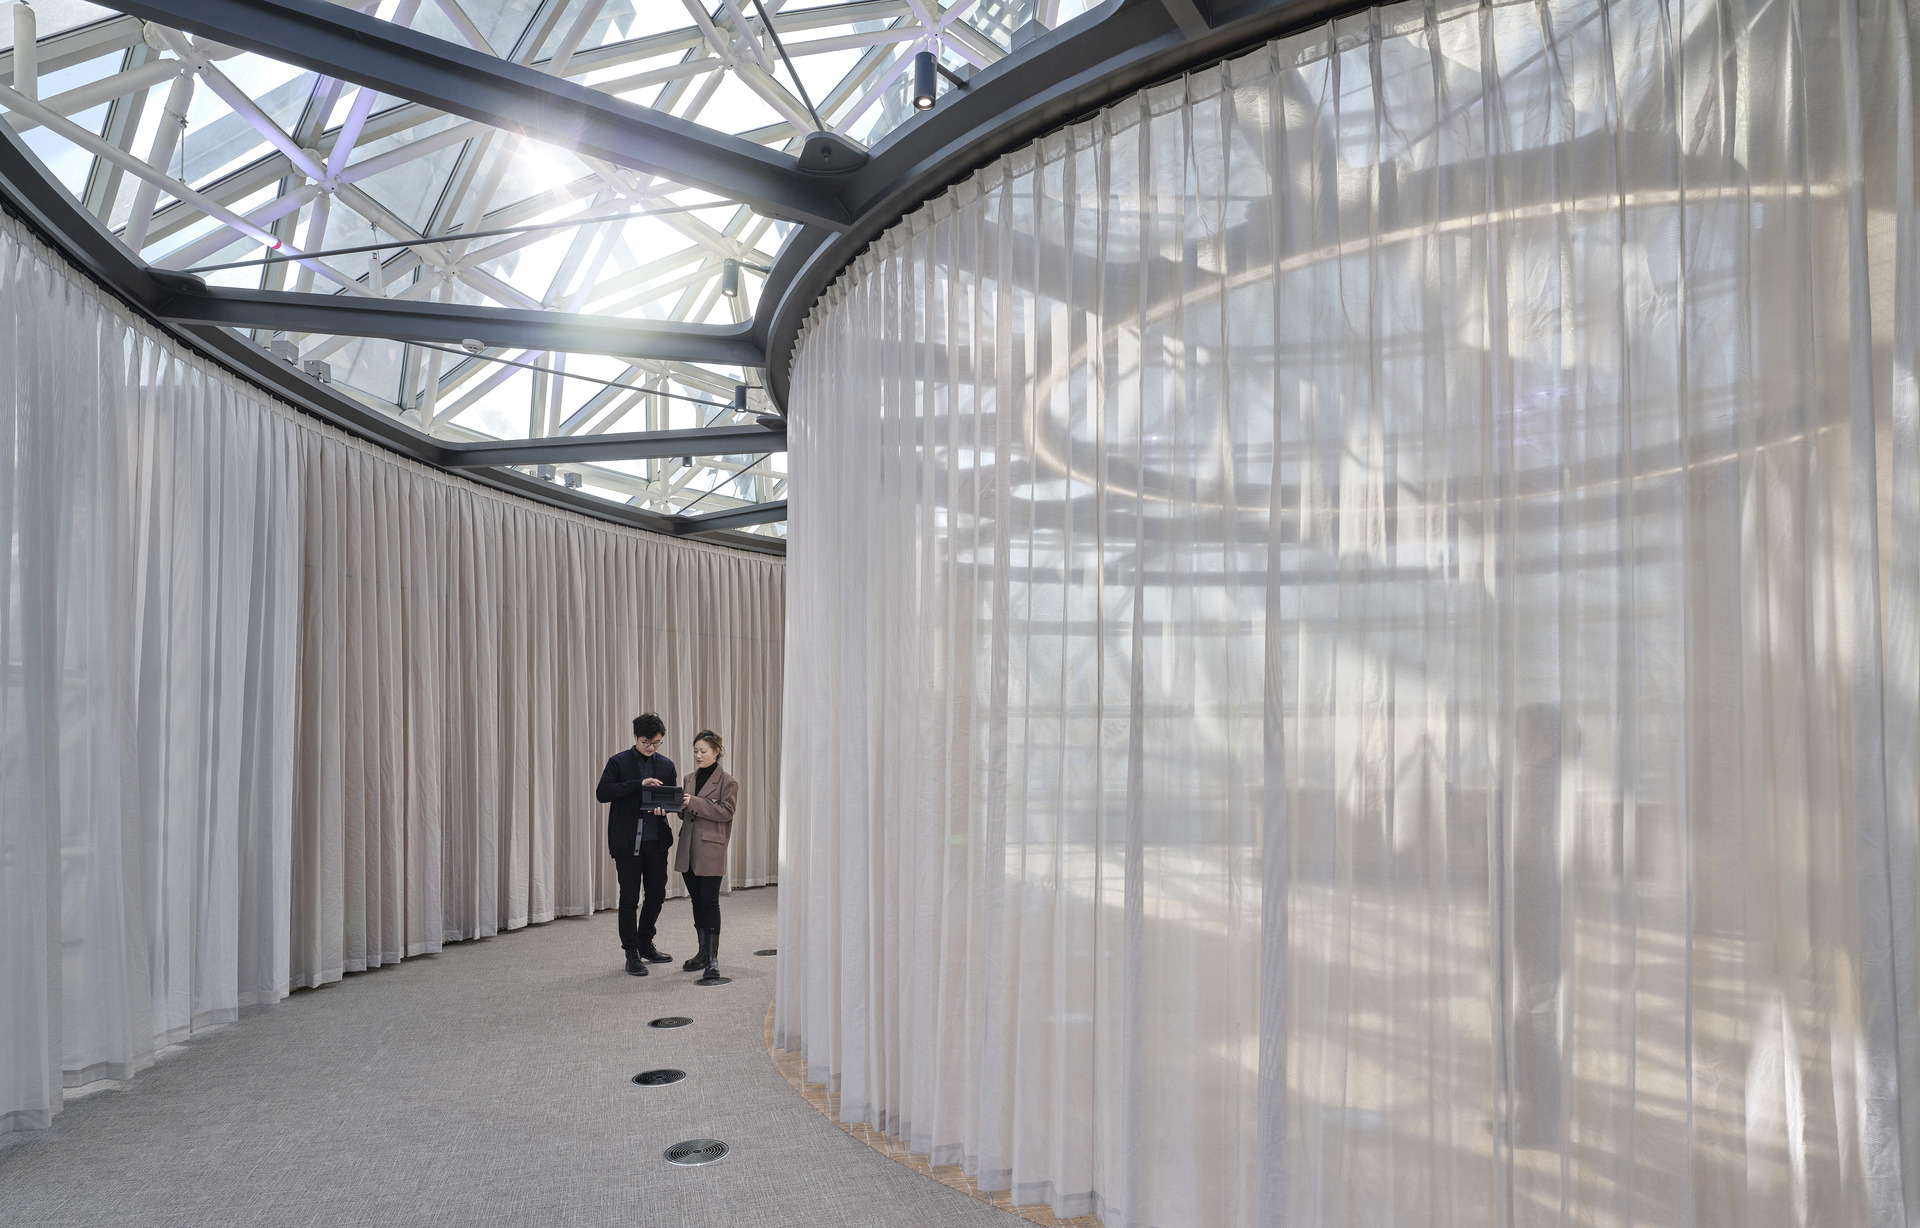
462 82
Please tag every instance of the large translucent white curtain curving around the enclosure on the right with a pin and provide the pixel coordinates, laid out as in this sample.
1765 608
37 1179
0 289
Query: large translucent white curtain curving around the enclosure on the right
1355 636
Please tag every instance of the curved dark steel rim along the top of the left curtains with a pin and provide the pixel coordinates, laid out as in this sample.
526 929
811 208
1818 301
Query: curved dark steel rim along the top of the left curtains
30 193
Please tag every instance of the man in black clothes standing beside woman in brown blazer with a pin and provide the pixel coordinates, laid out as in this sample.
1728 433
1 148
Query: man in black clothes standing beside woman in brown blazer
638 839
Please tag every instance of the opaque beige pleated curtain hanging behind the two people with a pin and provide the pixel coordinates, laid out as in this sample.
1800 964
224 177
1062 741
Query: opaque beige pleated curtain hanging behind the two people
466 669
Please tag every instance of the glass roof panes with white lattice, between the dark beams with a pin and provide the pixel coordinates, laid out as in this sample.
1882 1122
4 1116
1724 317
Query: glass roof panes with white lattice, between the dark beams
247 141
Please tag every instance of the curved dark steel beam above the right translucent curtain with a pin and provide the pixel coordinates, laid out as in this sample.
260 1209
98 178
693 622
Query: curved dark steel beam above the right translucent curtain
1063 76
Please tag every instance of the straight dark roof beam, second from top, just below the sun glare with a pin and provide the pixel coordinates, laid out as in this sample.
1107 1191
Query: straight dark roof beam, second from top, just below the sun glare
452 323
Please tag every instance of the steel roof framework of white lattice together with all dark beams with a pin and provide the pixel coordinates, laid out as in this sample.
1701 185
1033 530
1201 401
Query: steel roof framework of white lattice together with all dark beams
387 99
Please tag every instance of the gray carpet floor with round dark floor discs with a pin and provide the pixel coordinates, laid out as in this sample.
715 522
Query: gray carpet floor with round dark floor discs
487 1085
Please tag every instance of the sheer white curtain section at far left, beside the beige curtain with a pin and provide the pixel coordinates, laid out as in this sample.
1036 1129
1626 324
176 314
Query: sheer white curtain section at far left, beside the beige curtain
147 722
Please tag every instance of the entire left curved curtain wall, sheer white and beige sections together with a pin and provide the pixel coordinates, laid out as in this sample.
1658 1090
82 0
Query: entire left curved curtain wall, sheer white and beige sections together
281 705
